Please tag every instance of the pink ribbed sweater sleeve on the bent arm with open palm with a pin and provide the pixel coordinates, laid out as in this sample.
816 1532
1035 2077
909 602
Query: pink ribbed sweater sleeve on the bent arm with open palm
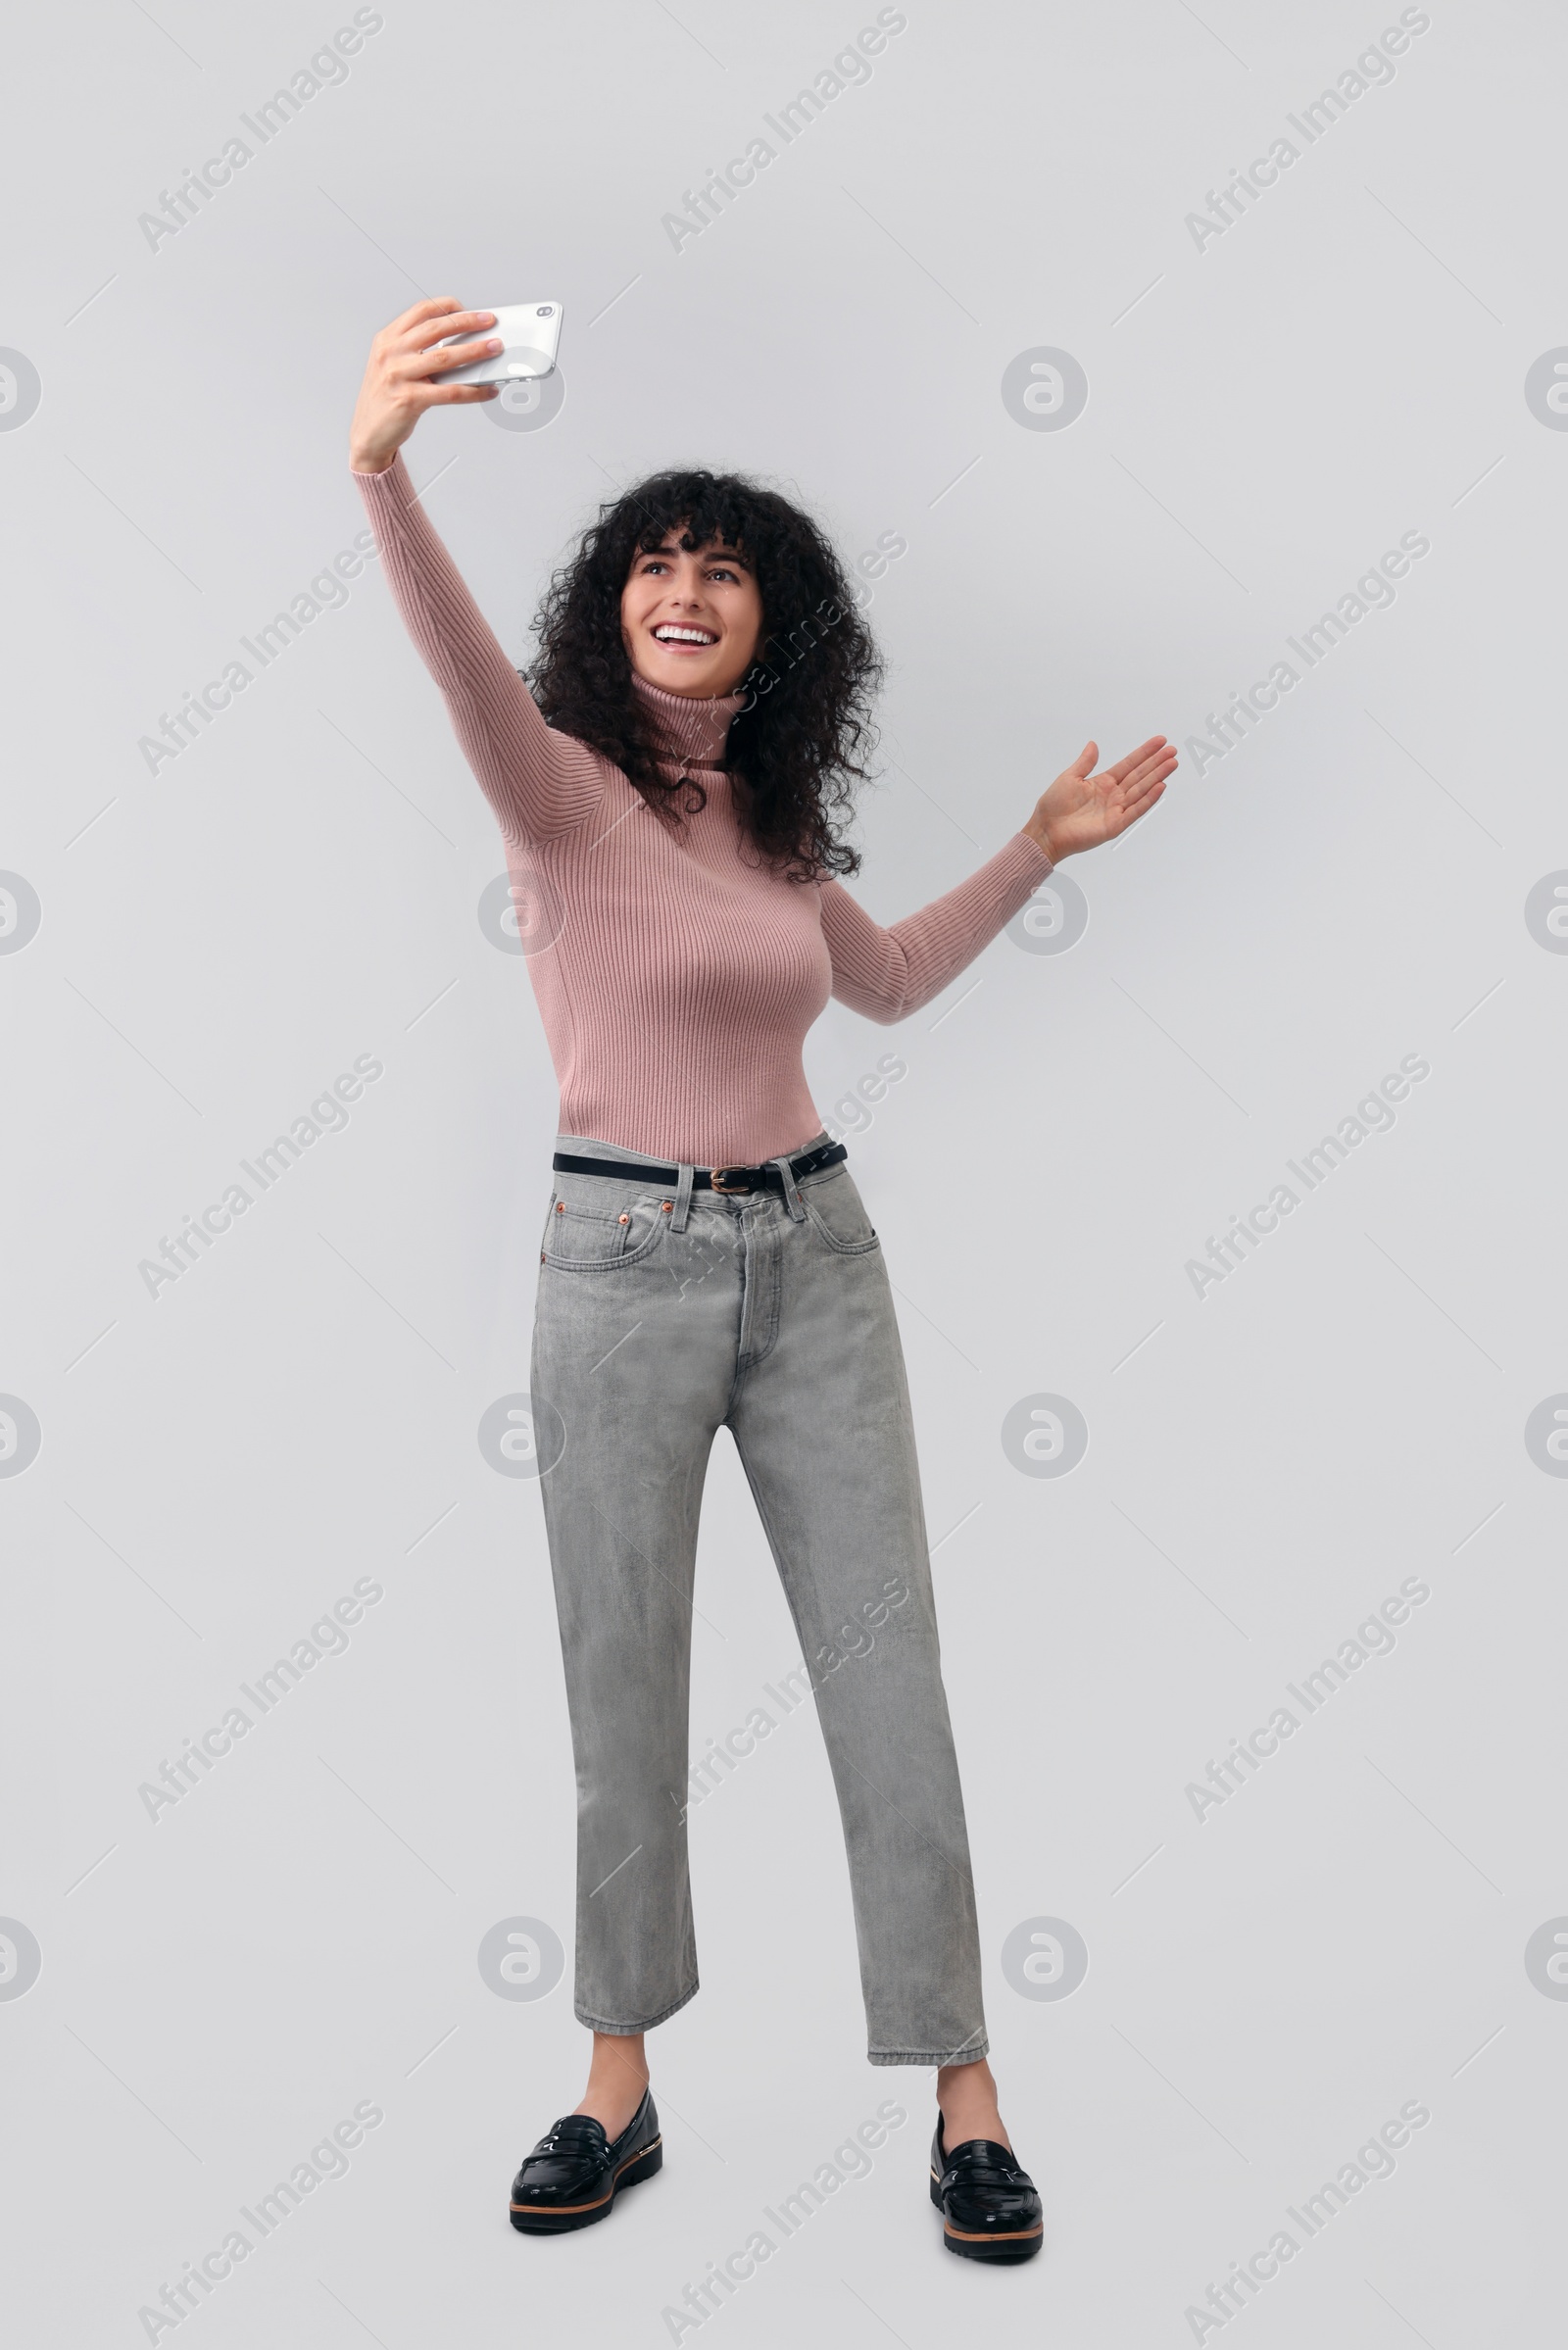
887 974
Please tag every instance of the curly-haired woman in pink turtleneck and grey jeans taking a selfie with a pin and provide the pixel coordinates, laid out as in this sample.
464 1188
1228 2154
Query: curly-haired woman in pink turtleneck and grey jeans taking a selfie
671 800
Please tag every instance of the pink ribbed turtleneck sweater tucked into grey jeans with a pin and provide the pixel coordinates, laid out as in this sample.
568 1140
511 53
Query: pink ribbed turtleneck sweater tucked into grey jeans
674 976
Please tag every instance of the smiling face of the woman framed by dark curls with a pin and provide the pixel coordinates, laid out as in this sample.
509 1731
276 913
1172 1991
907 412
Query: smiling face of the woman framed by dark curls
692 619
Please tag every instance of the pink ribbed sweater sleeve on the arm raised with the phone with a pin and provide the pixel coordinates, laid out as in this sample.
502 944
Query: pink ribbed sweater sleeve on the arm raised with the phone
537 781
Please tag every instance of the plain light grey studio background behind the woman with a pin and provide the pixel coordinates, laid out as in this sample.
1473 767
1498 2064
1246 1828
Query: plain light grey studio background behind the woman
1266 415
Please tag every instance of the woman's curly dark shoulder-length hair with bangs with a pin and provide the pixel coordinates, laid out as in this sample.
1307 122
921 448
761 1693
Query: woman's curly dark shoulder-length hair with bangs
805 730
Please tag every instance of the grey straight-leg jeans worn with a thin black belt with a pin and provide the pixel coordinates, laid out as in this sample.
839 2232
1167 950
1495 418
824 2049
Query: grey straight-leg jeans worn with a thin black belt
666 1315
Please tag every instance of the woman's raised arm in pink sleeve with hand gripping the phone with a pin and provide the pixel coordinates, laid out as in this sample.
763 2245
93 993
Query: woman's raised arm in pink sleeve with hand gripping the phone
537 781
